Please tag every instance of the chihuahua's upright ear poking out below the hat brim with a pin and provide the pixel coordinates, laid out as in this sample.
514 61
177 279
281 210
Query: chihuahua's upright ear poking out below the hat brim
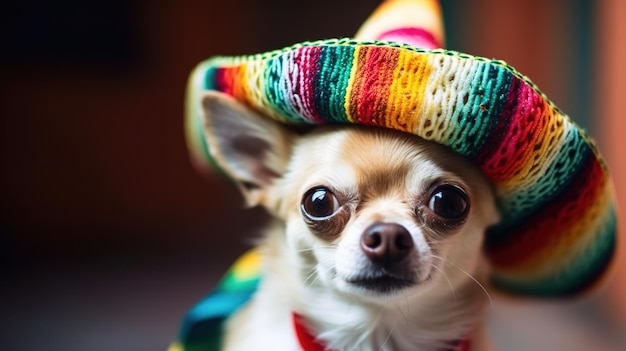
251 149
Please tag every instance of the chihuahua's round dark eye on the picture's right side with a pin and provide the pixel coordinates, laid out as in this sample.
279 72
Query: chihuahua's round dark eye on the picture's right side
449 202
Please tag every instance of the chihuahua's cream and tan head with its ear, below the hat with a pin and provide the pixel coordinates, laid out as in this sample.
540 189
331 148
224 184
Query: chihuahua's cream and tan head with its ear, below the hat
374 213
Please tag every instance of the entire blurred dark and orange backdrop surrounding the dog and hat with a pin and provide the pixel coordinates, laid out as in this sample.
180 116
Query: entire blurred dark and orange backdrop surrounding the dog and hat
107 233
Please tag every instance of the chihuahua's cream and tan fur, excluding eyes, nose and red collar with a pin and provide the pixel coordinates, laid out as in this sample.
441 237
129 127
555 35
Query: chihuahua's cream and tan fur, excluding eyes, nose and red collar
310 275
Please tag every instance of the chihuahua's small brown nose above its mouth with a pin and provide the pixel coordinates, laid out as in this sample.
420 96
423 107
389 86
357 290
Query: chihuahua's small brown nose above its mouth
386 243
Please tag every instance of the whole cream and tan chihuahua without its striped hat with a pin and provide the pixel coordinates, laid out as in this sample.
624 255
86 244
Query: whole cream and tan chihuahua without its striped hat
377 242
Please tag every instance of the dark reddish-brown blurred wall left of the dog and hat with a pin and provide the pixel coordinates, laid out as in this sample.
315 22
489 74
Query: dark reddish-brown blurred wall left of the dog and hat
92 154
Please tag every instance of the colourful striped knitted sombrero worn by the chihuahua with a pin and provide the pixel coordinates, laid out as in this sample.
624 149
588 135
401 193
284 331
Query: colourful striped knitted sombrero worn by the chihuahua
557 233
